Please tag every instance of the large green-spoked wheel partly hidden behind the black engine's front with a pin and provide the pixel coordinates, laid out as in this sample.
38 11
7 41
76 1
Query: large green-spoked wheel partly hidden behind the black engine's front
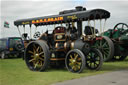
106 46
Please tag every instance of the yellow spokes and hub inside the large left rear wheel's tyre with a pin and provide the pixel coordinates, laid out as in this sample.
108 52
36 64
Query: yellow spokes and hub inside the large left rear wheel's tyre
35 56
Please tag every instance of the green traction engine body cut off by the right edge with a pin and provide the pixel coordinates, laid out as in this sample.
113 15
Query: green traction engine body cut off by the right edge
119 37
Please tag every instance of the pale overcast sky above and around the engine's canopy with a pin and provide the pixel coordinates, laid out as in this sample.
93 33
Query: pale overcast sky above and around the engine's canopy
12 10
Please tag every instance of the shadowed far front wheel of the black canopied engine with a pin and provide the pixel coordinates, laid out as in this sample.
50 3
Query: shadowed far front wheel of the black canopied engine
94 59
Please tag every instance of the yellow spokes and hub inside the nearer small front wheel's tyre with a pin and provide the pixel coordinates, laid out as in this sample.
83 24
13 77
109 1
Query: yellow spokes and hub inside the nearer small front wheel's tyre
74 62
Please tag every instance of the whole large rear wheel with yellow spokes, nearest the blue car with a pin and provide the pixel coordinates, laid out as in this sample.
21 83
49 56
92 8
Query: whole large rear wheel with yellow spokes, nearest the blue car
37 56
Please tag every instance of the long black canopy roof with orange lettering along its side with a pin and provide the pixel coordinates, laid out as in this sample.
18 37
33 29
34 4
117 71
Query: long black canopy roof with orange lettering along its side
65 17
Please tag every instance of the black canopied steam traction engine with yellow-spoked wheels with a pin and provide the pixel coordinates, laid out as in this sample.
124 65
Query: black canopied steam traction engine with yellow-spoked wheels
66 45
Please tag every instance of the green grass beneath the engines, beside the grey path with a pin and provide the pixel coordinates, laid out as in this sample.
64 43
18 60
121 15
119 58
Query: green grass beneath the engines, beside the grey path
15 72
